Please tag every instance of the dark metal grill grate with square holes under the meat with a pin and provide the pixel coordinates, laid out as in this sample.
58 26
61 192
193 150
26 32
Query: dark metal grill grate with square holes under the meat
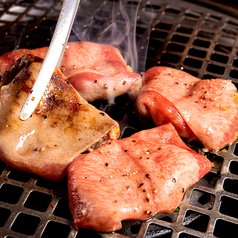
199 37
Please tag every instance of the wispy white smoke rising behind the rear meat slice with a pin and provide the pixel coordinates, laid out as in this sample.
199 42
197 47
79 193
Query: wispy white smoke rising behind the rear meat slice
113 23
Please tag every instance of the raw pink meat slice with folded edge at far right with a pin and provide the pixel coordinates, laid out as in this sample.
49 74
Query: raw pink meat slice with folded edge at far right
204 110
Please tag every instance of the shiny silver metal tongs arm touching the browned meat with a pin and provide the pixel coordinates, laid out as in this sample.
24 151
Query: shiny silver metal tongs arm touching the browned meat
53 56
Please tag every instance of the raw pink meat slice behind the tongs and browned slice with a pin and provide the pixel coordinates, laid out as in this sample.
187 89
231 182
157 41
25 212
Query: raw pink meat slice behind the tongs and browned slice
97 71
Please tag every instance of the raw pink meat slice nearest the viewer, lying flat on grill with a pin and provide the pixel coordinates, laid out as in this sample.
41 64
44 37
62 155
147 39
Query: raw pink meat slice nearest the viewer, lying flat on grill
132 179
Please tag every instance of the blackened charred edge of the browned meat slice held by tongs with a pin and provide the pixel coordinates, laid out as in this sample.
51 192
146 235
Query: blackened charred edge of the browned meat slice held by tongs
20 64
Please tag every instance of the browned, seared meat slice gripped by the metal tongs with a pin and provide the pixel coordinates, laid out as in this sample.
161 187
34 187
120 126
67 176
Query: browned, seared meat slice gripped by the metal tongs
62 126
